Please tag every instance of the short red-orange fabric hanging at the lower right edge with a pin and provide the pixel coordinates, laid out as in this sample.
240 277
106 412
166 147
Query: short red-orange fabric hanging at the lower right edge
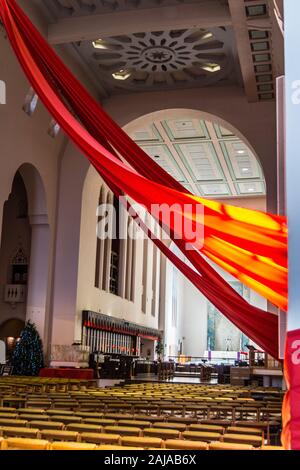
291 405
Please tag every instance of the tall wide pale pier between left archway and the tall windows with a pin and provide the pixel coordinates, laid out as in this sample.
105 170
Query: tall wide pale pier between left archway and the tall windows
65 320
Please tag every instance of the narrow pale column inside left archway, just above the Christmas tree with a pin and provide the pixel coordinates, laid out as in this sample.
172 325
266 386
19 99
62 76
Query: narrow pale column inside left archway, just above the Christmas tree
38 273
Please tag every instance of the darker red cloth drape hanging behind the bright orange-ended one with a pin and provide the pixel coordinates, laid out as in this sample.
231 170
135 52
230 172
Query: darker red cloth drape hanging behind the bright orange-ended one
245 316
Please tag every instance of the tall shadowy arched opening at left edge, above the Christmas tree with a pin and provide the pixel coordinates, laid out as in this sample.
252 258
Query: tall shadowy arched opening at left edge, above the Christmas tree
24 252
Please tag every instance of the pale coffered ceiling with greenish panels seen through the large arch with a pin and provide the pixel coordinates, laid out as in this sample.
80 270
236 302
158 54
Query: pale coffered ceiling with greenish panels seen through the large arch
206 158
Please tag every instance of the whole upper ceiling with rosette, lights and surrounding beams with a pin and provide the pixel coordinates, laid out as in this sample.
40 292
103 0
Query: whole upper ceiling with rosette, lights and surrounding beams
145 45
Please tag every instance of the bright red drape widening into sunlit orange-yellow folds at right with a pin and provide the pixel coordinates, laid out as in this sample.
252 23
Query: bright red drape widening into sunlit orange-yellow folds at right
250 245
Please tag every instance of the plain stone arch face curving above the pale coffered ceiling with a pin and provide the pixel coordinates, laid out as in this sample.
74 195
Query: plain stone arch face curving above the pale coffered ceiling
256 122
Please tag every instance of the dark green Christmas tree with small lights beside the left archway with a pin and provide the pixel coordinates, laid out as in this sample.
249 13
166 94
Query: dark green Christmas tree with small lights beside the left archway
28 356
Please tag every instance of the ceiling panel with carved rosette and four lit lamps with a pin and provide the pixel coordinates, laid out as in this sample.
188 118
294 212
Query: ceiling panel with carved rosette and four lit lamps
161 59
